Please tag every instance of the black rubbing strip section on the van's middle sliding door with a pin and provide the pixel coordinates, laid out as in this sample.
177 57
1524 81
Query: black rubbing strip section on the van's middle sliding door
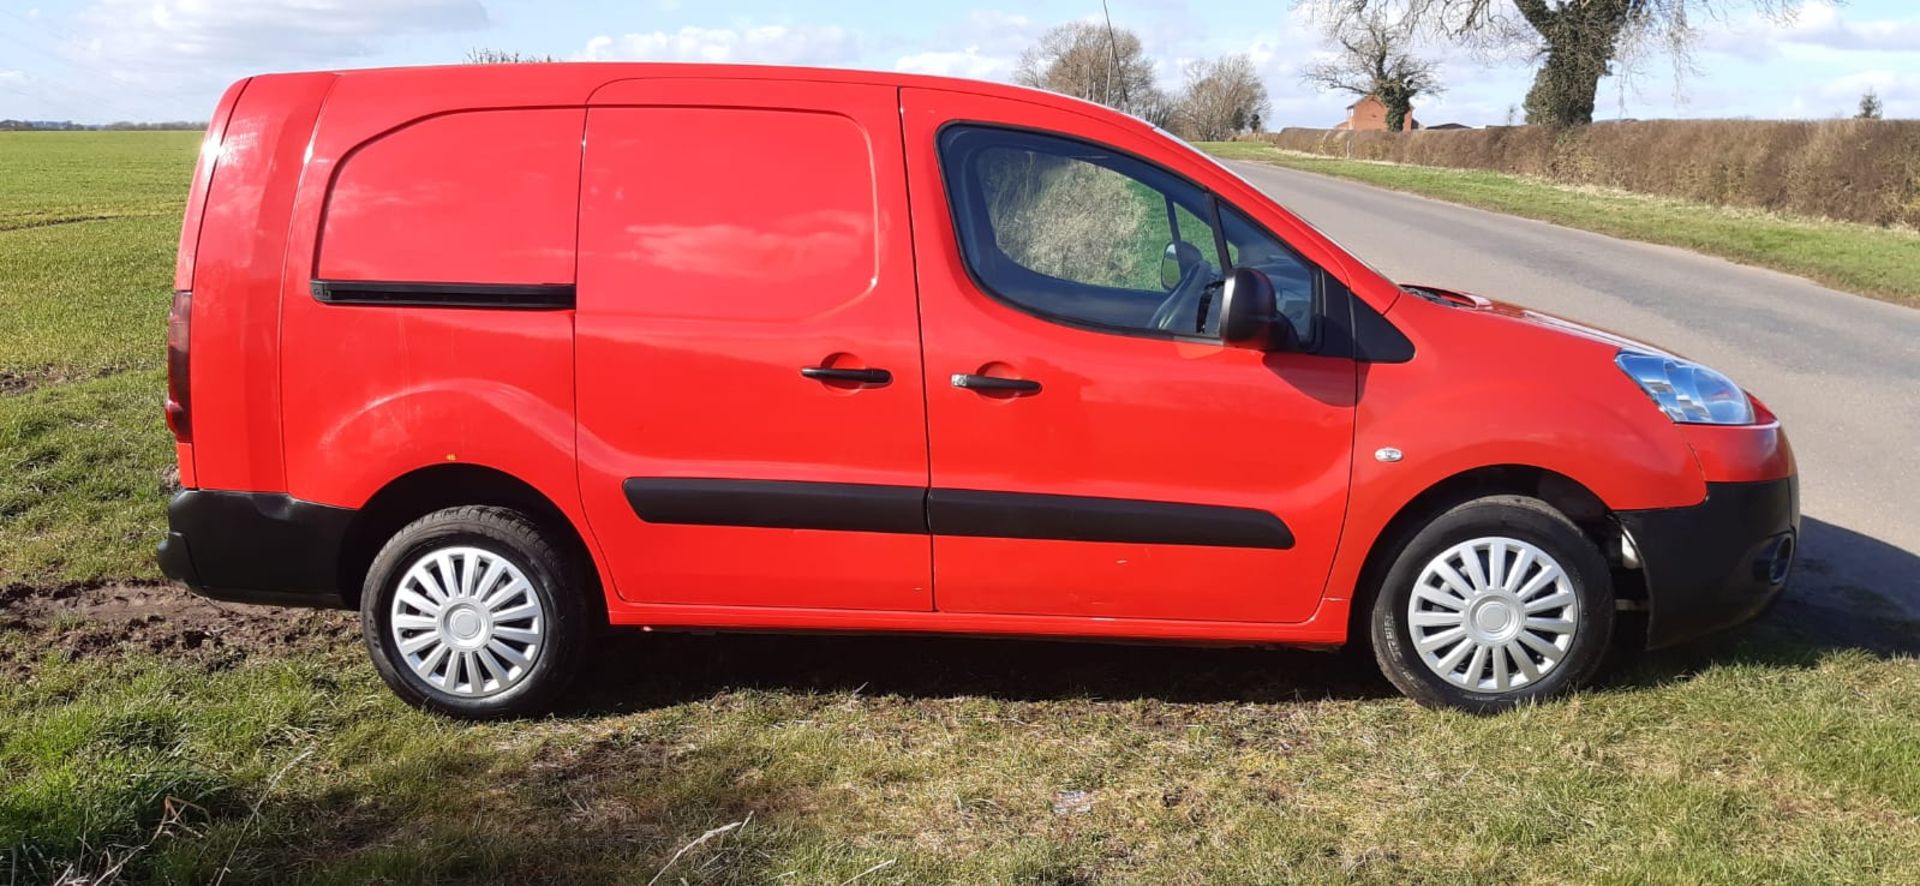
780 505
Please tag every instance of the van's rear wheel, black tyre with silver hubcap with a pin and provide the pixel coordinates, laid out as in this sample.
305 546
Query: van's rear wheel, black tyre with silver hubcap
510 635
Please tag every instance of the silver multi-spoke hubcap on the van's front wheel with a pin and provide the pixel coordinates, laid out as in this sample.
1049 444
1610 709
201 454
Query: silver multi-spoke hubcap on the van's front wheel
1493 614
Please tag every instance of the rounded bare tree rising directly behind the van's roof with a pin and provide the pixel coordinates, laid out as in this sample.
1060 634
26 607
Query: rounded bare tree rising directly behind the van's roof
1099 64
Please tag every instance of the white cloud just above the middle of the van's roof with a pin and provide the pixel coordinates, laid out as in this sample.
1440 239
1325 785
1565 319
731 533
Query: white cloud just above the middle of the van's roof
780 45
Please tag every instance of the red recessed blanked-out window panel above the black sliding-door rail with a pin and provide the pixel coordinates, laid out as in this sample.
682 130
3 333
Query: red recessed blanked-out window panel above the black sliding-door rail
473 197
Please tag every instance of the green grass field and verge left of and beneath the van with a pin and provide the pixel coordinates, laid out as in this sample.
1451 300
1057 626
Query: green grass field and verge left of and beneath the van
160 739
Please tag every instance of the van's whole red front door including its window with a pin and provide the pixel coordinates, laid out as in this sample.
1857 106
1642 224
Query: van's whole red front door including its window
1095 451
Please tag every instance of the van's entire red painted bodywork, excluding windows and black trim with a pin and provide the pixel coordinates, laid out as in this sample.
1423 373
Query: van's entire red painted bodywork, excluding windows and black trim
727 228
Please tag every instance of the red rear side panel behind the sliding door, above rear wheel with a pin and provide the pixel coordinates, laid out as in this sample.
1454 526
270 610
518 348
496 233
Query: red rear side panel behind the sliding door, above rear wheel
377 393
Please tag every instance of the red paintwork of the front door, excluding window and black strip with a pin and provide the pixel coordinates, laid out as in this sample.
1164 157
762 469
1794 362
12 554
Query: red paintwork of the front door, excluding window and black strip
1118 418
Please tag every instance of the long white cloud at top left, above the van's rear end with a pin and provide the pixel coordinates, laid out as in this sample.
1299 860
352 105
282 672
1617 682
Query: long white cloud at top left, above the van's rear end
187 34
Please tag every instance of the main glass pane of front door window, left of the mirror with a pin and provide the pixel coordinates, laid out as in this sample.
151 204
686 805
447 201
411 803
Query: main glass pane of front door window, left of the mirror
1084 235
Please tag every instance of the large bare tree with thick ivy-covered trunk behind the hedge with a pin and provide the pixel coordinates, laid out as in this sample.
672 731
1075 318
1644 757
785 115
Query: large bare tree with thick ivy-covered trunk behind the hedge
1577 41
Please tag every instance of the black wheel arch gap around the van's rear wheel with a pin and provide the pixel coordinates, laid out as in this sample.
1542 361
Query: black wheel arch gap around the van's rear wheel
439 487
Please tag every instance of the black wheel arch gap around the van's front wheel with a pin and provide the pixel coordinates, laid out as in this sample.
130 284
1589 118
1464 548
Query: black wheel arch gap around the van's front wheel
1566 495
